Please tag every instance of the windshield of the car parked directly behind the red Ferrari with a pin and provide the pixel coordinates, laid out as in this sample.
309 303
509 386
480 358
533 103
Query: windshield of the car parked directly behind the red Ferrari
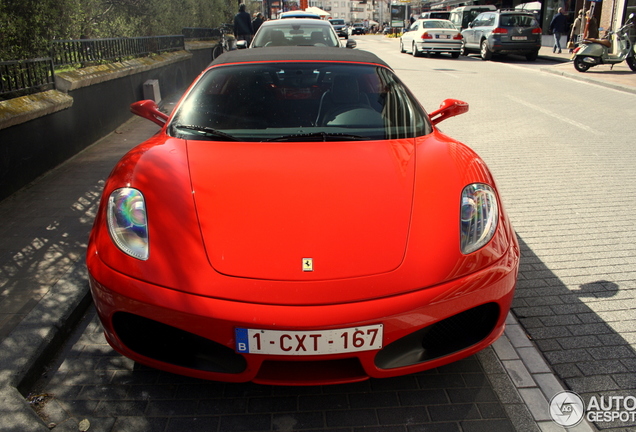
294 34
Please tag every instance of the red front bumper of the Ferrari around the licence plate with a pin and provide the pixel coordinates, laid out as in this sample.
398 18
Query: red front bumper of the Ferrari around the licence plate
216 320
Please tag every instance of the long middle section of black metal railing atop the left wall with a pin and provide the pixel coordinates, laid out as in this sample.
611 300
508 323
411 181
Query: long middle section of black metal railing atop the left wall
92 51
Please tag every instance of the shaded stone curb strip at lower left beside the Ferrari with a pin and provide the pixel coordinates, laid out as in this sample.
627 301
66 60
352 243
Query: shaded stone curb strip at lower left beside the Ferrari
31 345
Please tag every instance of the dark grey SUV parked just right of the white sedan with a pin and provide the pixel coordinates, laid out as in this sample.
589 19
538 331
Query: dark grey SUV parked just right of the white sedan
503 32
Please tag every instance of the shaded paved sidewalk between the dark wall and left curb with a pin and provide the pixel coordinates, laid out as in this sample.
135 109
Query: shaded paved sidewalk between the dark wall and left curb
45 226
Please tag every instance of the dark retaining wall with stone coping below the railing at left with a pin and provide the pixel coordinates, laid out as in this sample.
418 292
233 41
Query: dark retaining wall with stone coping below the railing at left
39 132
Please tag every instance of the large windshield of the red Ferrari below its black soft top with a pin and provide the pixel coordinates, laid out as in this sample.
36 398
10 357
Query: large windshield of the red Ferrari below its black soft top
299 102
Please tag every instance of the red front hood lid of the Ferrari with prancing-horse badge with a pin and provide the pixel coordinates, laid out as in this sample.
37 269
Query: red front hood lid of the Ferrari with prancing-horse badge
303 211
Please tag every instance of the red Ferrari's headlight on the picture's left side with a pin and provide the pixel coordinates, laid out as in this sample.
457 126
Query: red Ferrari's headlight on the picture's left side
127 223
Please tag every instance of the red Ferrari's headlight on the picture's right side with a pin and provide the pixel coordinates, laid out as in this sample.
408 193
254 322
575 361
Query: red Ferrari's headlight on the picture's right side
479 216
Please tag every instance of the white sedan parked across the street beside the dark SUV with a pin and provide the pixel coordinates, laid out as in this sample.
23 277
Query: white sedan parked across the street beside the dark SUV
426 36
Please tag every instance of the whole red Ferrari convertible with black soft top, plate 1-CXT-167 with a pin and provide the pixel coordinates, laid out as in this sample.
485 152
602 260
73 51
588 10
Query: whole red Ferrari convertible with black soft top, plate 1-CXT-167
299 219
